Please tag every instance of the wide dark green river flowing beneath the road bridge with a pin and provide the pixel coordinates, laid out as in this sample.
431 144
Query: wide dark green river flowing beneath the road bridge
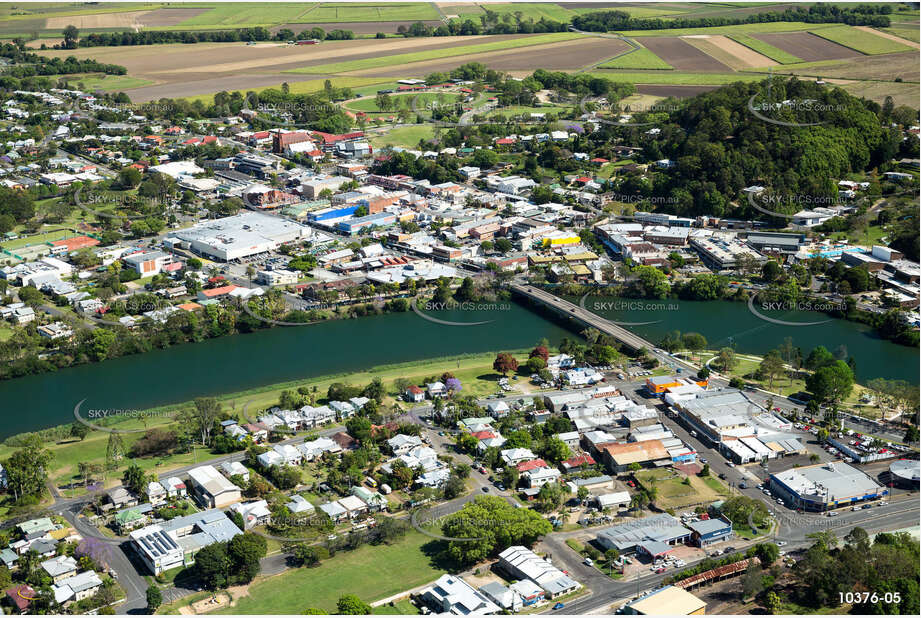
241 362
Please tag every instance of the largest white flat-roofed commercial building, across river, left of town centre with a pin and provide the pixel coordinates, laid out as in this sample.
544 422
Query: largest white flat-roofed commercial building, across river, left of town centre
239 236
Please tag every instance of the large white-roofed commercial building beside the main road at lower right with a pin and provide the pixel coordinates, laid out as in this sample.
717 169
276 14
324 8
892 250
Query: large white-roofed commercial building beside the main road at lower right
825 486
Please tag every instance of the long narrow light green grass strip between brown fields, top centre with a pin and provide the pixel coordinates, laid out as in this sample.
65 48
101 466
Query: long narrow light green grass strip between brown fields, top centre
436 54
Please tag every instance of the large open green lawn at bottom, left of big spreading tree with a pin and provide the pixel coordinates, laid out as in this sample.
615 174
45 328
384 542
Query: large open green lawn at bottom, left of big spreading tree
371 572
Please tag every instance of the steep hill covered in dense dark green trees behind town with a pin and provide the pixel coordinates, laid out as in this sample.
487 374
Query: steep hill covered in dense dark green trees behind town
720 145
